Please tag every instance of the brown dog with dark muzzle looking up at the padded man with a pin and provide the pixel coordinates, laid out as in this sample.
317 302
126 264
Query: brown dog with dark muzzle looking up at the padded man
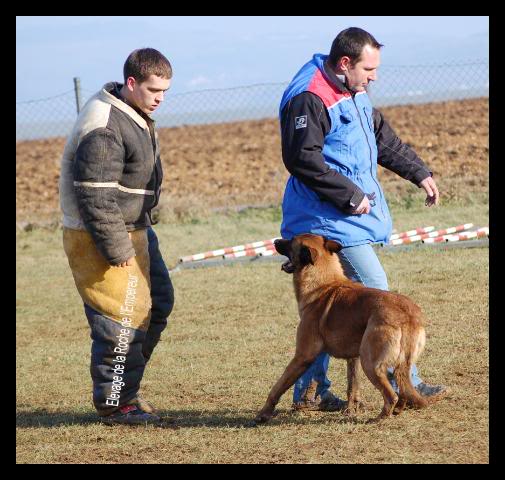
348 320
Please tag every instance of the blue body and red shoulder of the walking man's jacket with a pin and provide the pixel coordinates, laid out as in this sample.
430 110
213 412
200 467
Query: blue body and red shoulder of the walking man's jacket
350 149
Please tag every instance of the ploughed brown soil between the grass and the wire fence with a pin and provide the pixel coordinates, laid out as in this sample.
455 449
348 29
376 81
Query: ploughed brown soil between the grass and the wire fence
235 164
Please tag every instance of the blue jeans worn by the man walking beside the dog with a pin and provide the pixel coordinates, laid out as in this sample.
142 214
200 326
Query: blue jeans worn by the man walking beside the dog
360 263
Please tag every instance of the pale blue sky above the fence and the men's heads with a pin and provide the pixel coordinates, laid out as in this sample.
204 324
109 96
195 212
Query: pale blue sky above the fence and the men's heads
209 52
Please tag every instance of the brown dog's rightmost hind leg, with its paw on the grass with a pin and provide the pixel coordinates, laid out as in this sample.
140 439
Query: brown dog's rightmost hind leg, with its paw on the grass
413 345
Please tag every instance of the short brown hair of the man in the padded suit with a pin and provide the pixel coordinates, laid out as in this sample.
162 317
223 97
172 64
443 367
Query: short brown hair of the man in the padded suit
144 62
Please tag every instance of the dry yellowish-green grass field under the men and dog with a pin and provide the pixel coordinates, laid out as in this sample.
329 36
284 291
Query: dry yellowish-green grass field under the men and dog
229 338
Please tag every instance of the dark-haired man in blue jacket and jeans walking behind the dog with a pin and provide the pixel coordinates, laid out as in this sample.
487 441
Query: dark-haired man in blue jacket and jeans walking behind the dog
332 141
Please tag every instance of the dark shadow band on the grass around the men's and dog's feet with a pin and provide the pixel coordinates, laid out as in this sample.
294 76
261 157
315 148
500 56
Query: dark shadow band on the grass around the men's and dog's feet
176 419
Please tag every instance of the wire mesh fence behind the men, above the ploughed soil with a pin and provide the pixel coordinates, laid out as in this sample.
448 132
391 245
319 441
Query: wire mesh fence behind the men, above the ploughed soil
396 85
